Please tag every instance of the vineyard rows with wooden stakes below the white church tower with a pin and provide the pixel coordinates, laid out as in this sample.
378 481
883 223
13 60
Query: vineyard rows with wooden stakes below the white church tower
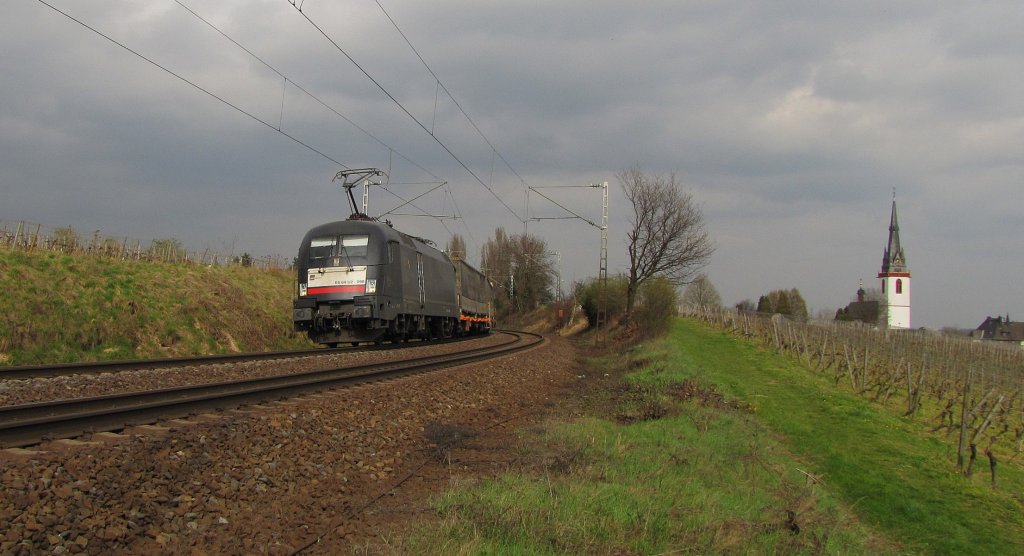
985 379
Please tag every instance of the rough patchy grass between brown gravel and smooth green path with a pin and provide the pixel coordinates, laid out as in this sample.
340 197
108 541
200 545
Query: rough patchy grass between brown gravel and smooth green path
691 473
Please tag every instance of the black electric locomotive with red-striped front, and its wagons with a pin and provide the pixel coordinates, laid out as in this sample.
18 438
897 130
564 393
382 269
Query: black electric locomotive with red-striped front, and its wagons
362 281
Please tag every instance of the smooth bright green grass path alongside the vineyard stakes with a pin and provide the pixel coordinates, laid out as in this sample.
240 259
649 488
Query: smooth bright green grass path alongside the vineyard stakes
897 476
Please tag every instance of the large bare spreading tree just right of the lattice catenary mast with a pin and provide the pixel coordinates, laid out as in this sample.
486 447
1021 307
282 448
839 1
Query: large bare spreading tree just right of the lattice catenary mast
668 238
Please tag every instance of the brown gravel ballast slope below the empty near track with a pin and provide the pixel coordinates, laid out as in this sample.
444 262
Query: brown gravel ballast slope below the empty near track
267 480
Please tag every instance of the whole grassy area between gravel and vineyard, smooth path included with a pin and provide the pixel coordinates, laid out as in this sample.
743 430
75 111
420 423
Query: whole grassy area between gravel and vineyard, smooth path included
670 464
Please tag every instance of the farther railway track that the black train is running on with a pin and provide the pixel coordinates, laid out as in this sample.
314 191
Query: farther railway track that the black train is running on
96 368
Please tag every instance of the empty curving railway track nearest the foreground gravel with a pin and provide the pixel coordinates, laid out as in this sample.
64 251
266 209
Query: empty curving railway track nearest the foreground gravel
29 424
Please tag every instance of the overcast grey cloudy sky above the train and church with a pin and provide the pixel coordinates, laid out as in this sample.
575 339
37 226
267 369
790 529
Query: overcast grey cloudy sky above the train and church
790 122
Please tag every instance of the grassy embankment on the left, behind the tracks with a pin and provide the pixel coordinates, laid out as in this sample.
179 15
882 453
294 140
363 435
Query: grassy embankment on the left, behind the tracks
60 309
